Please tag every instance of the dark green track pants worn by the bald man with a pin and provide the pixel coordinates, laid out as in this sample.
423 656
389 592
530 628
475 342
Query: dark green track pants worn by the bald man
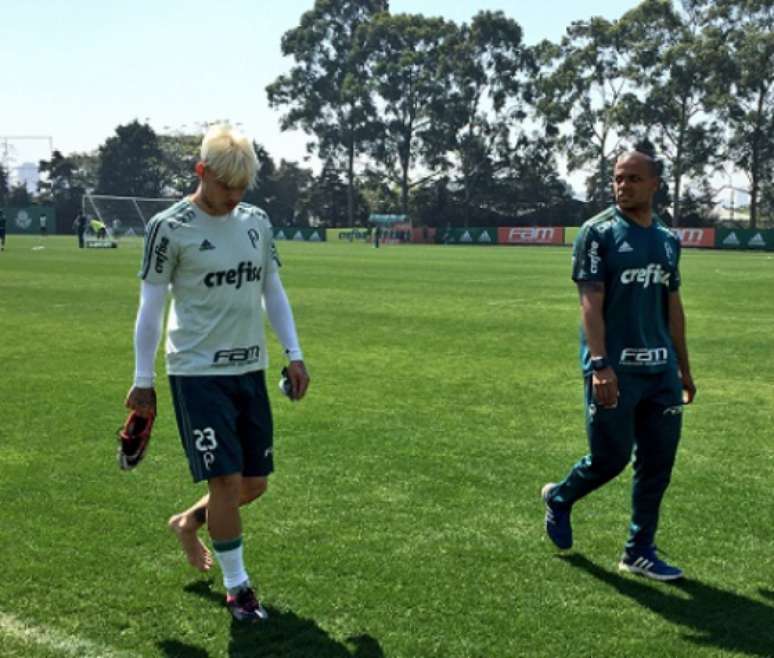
647 422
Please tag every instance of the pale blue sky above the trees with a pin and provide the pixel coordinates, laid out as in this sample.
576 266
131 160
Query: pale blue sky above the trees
75 70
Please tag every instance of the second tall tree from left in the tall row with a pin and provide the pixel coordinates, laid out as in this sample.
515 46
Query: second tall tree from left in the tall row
403 61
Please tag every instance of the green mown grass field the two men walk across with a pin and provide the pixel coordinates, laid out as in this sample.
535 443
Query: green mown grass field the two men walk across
403 518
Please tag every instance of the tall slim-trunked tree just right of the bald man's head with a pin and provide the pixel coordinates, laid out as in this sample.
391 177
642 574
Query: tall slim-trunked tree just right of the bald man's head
671 59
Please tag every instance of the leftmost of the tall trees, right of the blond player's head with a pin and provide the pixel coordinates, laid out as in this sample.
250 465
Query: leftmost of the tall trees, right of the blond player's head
325 92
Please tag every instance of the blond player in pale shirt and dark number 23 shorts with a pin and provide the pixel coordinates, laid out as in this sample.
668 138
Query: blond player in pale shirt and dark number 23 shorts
216 256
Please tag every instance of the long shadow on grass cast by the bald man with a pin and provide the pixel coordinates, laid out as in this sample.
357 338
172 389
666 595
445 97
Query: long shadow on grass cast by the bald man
718 618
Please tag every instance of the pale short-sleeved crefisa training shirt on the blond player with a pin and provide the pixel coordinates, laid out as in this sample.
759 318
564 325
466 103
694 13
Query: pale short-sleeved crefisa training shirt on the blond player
216 268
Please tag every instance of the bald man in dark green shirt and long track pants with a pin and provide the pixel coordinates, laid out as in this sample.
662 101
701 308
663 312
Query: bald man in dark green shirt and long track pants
634 359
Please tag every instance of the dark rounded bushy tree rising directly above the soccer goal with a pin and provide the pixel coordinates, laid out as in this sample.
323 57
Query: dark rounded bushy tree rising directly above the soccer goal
131 163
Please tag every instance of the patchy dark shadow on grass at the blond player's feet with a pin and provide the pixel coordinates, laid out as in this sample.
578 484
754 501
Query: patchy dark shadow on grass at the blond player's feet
284 635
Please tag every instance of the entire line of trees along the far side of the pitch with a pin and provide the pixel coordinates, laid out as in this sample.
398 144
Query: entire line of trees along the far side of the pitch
464 124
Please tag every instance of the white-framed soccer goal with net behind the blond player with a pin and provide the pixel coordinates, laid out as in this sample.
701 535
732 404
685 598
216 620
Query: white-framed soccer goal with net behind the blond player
123 216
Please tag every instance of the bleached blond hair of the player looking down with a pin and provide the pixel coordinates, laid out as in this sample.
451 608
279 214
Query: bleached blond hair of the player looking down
230 156
